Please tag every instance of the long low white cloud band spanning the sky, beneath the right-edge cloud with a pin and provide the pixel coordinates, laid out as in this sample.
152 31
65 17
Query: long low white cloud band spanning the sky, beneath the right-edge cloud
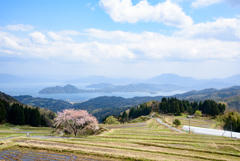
134 47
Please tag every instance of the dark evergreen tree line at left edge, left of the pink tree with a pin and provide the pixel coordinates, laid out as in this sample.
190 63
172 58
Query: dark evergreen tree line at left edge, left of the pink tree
18 114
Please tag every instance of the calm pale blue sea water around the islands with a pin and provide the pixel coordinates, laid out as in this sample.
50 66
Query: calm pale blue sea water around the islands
16 89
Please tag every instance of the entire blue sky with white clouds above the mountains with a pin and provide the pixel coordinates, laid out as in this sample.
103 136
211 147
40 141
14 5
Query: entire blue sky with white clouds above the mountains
120 38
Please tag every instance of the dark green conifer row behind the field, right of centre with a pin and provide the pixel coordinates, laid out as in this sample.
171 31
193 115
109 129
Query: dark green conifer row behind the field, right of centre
176 107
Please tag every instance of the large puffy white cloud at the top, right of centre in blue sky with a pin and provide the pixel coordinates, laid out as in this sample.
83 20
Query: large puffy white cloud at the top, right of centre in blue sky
166 12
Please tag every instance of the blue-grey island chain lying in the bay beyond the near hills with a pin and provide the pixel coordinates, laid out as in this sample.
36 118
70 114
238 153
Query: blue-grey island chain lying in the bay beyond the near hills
109 88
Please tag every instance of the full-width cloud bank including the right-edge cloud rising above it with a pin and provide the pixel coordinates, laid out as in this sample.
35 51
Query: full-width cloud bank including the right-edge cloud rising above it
200 42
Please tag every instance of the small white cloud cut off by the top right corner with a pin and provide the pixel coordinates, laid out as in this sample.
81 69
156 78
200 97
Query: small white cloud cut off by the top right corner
201 3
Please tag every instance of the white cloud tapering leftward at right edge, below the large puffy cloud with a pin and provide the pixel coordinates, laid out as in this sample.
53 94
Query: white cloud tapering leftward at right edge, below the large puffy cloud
223 29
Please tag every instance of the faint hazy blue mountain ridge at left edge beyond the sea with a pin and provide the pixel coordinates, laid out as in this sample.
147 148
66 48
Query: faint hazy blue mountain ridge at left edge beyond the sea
6 78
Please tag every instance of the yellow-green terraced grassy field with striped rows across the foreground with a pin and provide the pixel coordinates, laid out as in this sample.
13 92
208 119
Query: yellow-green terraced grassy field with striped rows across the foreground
134 141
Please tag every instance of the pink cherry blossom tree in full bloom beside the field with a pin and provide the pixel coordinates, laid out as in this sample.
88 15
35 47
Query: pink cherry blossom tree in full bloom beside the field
76 119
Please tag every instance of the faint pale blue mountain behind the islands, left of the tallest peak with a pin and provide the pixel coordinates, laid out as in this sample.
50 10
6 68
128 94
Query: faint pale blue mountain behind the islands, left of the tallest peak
102 79
